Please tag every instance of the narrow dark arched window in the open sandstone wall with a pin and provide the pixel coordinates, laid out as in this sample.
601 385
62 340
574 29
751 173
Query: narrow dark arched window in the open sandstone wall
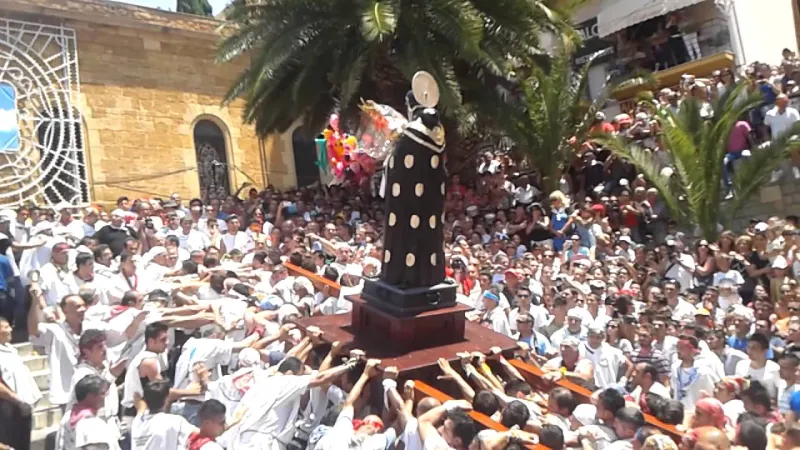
212 160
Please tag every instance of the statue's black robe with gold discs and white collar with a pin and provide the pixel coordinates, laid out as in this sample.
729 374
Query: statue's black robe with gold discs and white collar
413 255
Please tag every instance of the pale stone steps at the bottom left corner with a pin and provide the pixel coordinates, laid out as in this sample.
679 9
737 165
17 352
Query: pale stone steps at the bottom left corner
46 417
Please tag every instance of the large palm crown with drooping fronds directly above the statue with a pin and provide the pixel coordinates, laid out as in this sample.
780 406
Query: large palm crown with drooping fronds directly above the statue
310 57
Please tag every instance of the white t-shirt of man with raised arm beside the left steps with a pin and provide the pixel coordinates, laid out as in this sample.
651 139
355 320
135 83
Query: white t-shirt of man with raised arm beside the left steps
61 345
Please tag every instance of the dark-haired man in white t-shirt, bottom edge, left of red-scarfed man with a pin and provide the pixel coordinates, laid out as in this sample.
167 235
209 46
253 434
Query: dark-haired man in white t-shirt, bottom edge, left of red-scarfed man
154 429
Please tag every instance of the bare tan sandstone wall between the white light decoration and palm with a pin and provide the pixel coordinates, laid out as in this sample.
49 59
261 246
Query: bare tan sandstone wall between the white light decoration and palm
146 78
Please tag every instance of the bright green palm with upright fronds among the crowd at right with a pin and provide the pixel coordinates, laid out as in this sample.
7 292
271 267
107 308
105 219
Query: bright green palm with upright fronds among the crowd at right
692 187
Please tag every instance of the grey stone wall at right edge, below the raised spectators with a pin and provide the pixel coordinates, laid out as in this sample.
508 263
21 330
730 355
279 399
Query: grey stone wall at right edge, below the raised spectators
779 200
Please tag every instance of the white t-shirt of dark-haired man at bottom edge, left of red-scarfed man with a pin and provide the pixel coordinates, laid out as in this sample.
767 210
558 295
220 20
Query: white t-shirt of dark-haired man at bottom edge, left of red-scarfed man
160 431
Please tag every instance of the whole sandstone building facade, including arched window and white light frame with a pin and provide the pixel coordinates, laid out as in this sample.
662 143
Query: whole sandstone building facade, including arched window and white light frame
141 103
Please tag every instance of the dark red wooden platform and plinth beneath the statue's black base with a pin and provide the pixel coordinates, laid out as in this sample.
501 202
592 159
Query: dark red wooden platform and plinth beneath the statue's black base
412 344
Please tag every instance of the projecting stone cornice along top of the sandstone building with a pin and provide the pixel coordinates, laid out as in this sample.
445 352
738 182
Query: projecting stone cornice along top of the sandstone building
107 12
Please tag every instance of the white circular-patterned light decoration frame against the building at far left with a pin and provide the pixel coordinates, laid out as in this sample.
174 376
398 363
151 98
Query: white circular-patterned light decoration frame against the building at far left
48 166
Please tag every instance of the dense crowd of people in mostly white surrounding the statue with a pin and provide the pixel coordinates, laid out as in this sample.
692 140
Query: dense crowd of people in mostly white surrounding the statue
171 326
